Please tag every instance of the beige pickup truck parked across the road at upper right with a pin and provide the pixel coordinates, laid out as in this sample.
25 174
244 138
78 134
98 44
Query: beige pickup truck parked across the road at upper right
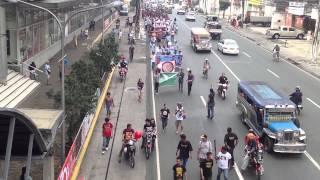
285 32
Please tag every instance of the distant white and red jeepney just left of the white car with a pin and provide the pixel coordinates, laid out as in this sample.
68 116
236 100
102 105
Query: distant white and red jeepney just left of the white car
200 40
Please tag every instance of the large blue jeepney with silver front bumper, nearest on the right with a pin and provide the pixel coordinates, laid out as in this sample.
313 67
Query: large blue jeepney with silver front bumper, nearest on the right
272 117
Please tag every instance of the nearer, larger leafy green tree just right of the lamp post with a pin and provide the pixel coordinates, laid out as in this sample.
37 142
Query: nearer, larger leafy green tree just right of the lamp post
80 87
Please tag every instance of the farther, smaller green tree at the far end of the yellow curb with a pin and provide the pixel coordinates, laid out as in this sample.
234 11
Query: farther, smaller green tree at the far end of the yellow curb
104 54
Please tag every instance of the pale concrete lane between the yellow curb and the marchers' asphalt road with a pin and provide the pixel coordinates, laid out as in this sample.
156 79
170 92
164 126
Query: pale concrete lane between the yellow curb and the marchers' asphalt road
127 110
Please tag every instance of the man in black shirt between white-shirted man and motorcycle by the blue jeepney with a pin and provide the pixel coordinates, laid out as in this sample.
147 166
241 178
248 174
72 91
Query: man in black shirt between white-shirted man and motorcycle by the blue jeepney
231 141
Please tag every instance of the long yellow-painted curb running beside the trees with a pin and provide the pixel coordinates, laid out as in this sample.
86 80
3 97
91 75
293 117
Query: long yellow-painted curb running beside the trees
83 150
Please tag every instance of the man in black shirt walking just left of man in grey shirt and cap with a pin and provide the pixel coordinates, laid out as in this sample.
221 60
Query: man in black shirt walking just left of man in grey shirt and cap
184 150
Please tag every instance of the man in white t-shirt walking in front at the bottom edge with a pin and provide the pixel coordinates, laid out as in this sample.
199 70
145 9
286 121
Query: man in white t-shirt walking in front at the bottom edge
223 158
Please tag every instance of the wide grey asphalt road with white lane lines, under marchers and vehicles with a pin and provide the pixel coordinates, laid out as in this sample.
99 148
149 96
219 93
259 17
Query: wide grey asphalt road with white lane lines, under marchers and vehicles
253 63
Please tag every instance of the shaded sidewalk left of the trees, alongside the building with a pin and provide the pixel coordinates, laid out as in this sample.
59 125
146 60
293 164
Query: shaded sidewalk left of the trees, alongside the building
39 99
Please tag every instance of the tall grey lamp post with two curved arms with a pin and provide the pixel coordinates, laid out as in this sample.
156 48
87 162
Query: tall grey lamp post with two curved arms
62 27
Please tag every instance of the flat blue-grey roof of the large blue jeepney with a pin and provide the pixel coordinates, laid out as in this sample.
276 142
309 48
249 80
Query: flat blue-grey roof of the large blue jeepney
262 94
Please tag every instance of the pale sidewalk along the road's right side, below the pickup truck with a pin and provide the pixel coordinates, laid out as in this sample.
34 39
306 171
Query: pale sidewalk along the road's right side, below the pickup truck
297 52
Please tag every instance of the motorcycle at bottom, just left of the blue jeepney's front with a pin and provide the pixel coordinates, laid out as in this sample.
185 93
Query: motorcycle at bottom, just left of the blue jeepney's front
255 160
